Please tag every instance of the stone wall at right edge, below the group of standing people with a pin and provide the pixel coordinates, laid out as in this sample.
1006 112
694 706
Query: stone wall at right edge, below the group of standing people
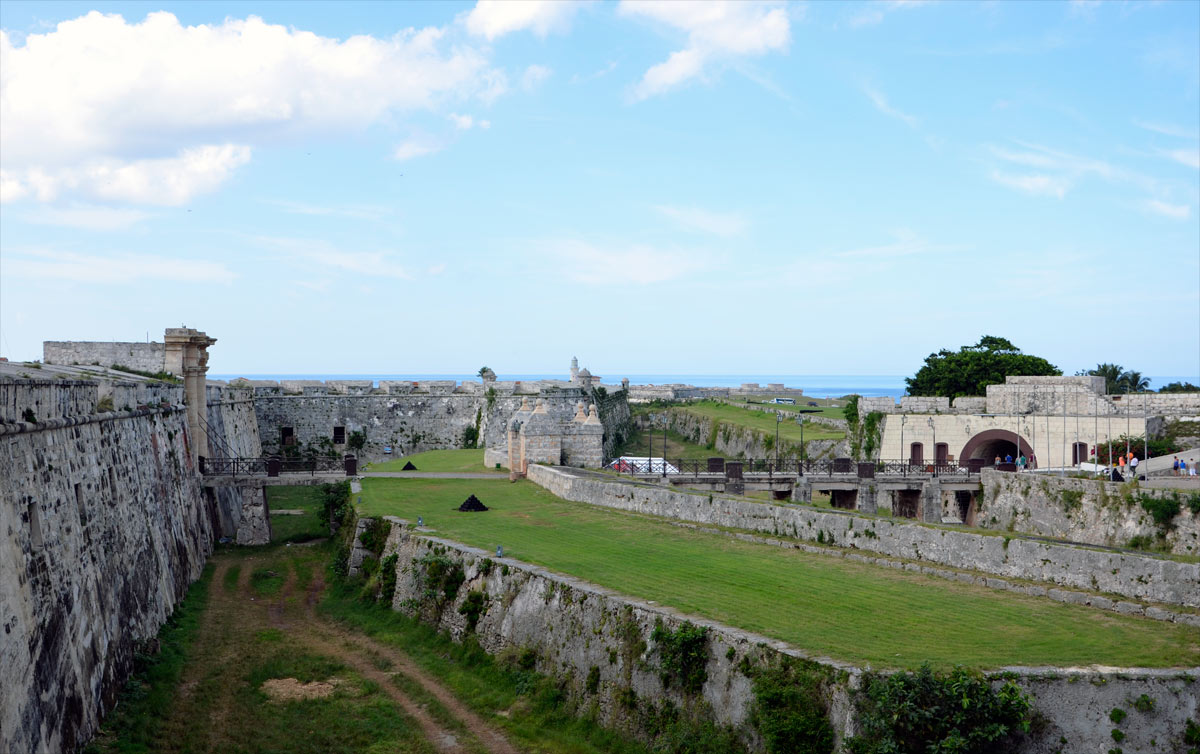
1094 512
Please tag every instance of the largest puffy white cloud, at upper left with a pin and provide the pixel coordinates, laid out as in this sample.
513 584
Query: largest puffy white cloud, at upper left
111 109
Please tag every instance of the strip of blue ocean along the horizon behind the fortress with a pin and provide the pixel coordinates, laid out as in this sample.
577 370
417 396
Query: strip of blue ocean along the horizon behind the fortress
818 386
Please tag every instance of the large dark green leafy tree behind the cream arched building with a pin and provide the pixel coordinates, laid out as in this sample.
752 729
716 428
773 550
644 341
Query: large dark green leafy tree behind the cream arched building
971 369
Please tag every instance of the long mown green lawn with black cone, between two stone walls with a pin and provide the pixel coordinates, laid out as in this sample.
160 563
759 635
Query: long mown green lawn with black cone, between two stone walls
821 605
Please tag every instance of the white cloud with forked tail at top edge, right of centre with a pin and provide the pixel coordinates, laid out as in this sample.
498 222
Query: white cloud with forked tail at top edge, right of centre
716 31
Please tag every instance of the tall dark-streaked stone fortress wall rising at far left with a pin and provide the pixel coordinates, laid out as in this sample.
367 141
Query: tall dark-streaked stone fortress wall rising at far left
103 529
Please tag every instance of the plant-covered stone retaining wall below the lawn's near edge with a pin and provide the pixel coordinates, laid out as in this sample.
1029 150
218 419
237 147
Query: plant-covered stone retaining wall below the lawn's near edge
575 629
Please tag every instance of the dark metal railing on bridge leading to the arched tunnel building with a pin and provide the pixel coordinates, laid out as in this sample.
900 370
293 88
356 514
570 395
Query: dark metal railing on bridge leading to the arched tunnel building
809 468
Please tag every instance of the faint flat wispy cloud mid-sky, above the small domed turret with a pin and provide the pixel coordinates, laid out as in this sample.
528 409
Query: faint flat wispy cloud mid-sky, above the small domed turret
638 264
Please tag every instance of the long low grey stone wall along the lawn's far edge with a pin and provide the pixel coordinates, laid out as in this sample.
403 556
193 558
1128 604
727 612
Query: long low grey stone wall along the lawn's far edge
1135 577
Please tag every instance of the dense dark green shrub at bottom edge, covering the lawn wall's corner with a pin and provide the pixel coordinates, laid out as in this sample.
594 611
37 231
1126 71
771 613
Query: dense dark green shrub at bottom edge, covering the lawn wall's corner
923 711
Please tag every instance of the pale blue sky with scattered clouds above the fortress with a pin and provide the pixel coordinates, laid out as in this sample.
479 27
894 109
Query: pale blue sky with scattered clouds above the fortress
657 188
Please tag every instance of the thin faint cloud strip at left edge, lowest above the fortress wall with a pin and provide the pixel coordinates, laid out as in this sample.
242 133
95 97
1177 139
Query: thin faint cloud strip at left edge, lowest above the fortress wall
127 268
